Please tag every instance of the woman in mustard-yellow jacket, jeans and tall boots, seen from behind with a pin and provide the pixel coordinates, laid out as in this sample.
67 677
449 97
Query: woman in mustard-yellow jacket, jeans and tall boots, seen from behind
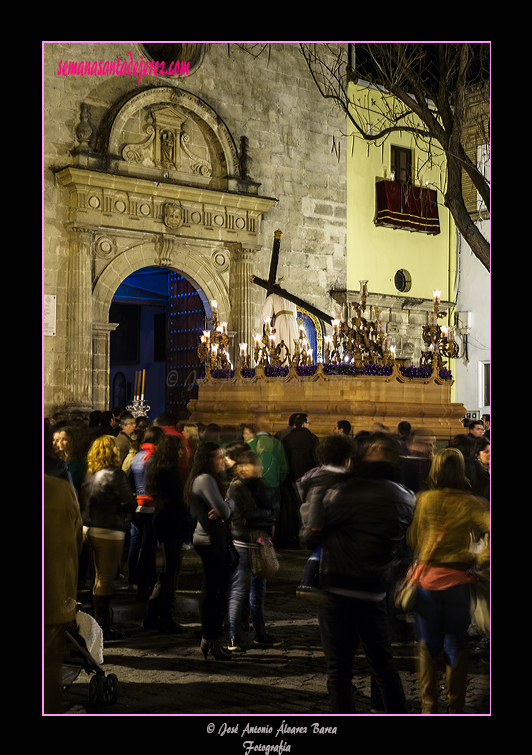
446 516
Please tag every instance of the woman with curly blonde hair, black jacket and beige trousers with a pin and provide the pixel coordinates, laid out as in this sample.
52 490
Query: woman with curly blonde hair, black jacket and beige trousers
107 506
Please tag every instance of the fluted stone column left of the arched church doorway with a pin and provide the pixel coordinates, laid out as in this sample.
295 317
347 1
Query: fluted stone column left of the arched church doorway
78 383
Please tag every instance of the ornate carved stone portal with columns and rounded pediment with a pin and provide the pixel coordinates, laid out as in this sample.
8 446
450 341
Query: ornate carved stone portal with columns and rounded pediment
161 182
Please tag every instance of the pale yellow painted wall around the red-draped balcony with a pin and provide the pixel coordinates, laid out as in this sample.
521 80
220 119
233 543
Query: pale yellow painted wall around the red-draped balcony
375 254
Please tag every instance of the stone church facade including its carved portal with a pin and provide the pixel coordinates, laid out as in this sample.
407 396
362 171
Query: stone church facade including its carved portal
191 172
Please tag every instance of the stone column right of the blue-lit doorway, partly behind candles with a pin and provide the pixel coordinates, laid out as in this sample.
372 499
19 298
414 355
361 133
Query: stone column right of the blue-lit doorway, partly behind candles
242 298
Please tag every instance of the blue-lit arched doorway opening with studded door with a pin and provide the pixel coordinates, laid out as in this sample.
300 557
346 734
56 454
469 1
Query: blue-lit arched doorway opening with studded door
160 317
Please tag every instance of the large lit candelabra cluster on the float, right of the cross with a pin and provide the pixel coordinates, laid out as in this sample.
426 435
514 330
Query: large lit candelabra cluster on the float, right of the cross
364 341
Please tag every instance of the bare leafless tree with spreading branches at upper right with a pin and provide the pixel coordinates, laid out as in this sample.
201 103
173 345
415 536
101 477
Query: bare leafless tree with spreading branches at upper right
430 84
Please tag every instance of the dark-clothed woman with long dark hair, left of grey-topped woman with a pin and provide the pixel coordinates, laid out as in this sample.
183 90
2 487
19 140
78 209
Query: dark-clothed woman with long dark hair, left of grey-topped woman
164 485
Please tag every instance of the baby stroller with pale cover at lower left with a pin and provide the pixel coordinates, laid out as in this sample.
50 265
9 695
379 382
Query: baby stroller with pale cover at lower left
84 633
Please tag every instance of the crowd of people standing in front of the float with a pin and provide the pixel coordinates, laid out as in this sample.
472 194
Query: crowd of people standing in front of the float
368 506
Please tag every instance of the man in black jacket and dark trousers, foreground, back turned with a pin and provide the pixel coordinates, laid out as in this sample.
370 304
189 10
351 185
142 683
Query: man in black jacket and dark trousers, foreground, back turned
364 520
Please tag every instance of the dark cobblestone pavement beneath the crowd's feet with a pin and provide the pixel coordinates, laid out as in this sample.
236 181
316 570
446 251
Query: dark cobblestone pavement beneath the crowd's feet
162 674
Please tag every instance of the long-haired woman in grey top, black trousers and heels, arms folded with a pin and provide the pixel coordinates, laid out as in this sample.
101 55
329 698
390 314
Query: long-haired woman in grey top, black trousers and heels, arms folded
205 498
